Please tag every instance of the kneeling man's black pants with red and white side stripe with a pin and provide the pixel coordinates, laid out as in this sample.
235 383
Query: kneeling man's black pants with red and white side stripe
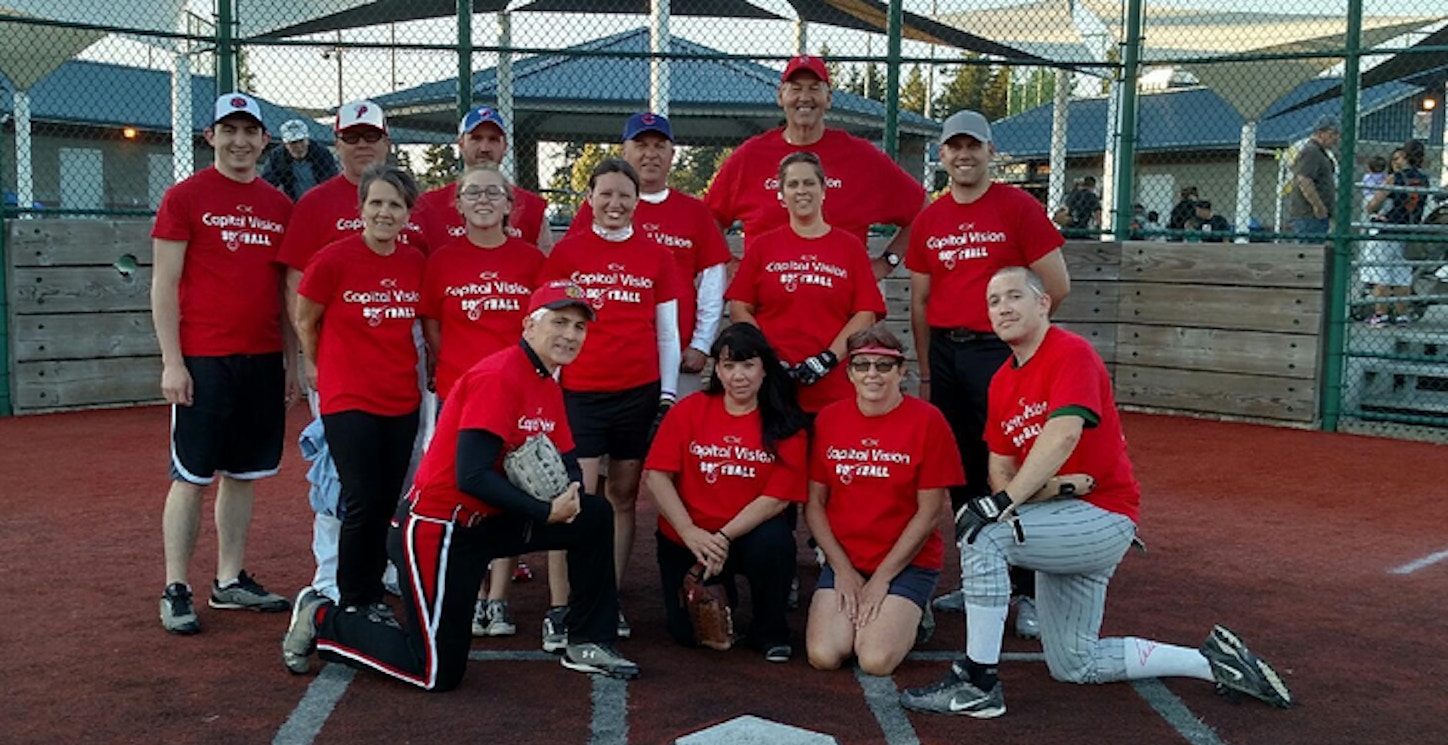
442 562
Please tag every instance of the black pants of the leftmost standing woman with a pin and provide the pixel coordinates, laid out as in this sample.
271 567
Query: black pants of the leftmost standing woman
371 454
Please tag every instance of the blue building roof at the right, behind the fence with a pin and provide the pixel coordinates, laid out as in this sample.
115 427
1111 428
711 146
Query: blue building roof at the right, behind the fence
1178 119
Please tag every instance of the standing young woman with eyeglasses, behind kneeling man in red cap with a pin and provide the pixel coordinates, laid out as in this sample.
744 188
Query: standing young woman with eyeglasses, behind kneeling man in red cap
476 296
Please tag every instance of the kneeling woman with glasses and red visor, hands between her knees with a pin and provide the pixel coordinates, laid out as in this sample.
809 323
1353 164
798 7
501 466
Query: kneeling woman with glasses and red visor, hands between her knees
881 468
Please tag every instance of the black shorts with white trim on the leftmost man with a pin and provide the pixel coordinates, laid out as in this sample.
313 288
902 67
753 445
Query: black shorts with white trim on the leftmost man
235 423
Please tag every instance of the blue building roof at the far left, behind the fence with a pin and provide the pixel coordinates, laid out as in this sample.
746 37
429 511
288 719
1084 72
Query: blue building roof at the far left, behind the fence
102 95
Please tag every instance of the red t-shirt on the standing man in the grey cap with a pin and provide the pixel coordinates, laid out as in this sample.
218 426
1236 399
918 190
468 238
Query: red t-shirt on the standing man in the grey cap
962 247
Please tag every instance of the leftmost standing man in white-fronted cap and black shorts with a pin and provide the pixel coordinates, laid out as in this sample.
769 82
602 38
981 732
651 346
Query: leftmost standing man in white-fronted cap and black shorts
216 306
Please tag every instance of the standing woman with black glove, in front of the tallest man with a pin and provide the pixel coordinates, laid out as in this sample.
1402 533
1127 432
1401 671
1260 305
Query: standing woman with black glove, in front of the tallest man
807 286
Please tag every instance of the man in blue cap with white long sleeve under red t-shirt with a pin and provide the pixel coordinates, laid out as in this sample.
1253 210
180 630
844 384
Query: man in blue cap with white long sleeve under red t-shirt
683 225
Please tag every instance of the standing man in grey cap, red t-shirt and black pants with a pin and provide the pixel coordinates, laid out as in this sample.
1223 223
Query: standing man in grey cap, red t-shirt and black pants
955 247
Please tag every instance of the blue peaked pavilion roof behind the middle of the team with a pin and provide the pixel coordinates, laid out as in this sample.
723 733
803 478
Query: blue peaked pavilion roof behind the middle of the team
567 79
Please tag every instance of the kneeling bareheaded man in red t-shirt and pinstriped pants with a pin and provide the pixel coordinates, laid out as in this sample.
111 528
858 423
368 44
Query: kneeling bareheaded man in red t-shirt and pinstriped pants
1052 410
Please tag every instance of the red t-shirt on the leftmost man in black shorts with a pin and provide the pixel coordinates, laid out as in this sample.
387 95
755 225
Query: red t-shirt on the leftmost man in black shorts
231 291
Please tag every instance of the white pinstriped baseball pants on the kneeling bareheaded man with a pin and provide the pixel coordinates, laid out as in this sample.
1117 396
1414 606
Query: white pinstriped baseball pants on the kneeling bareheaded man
1074 548
